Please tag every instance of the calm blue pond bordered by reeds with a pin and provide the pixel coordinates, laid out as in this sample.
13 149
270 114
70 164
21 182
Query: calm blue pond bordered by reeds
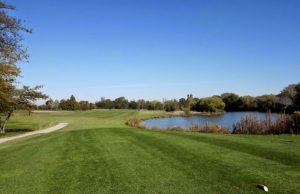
225 120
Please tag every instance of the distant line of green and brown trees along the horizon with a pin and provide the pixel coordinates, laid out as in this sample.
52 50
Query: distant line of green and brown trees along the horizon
288 100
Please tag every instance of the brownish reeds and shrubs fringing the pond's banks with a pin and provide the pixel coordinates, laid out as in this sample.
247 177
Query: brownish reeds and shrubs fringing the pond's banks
284 124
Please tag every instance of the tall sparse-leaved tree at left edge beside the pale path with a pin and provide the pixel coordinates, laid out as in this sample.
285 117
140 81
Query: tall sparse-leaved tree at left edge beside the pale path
12 51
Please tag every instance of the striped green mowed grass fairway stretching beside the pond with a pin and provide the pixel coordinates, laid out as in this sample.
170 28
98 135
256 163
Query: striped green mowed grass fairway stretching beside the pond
98 153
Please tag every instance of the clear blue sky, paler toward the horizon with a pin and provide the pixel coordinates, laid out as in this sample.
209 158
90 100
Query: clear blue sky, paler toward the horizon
157 49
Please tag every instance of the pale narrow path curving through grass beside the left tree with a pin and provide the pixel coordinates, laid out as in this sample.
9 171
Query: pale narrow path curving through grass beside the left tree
42 131
